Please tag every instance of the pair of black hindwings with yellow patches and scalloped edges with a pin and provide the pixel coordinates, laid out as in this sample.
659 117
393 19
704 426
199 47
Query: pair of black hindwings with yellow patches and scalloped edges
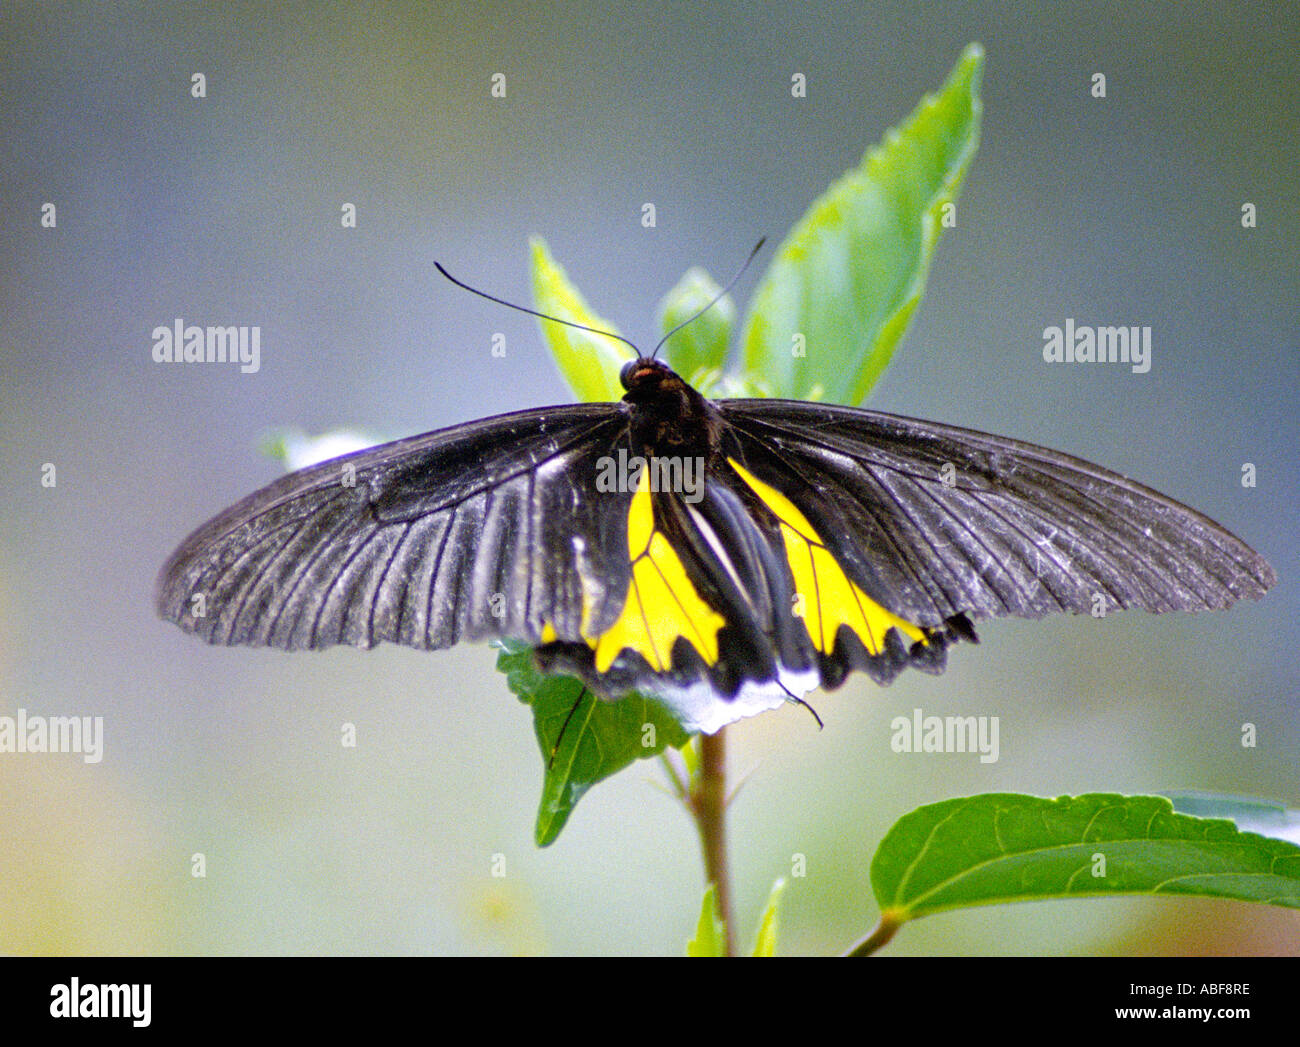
739 589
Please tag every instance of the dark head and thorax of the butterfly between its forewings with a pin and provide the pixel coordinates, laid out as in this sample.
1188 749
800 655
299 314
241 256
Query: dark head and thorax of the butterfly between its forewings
669 417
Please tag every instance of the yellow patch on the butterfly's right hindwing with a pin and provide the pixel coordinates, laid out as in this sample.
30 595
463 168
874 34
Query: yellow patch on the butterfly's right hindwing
829 596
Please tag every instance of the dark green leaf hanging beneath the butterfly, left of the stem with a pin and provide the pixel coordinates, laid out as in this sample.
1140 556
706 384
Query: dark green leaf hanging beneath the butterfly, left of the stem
583 738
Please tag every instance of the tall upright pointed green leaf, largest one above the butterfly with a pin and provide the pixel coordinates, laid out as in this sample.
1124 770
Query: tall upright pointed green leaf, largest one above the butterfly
851 274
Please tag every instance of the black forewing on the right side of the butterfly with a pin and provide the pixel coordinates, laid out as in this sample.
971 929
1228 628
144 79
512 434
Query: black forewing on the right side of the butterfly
937 522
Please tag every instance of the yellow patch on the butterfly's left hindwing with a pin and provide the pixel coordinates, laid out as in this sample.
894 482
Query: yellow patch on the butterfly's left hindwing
662 603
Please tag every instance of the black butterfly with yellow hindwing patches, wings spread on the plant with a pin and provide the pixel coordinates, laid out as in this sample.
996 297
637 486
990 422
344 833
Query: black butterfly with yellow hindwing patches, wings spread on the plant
723 556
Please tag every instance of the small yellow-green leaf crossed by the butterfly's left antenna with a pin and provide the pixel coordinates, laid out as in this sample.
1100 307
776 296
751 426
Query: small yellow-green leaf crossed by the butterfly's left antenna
591 364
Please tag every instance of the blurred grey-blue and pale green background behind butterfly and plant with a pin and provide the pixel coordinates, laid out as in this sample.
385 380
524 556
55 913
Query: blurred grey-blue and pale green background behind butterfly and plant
1124 210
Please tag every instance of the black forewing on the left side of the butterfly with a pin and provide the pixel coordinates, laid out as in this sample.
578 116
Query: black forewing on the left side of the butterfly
479 531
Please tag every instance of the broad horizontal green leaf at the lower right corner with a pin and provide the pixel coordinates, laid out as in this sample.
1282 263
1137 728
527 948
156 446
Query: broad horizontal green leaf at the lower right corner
1006 847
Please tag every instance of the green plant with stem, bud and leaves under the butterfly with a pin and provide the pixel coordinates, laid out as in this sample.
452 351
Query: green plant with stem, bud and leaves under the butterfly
848 280
